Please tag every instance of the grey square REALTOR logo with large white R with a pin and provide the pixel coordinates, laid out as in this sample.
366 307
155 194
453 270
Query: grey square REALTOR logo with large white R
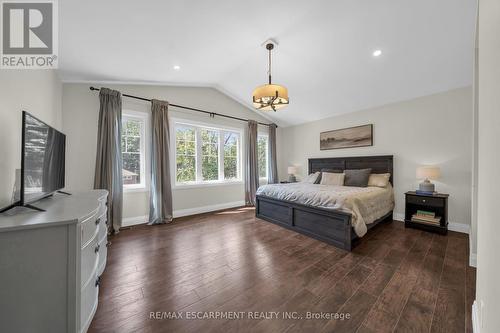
29 34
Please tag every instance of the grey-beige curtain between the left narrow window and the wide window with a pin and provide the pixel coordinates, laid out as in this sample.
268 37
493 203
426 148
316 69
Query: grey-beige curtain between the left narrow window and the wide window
160 202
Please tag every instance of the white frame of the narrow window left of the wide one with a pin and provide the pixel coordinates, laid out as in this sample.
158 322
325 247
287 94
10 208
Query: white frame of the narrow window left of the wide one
143 186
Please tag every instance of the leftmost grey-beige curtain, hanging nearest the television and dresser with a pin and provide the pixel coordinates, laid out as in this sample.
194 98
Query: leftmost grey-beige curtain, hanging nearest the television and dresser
108 167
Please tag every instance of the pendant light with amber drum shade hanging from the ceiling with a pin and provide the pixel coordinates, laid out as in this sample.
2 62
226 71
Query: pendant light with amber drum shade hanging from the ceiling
270 97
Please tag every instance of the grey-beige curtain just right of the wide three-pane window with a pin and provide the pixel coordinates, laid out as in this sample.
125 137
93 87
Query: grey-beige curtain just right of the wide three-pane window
251 170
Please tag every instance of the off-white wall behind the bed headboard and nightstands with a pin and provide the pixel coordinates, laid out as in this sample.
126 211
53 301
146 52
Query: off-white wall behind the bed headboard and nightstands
434 129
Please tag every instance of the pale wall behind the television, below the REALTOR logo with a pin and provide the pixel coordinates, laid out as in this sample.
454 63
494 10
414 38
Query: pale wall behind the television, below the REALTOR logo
35 91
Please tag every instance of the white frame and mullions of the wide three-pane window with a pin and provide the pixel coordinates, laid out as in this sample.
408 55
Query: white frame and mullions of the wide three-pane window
199 183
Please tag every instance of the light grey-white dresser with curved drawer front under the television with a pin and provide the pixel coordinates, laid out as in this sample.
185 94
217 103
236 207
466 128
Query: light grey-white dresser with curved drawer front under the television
51 262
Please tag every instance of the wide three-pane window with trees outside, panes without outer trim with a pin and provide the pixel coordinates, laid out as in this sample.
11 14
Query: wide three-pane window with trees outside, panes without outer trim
206 155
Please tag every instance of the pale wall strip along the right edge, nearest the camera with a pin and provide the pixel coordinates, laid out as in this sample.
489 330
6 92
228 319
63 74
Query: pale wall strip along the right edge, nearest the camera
488 226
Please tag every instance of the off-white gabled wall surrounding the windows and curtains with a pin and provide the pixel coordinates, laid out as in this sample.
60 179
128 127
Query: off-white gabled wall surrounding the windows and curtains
80 116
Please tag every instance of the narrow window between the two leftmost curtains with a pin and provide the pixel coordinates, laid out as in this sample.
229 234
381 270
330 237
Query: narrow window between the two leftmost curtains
133 150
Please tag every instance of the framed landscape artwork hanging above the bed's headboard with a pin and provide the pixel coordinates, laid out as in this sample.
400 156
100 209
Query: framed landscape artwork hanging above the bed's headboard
359 136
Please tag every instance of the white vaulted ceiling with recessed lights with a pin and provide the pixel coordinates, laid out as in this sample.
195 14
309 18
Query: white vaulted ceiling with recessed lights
324 57
